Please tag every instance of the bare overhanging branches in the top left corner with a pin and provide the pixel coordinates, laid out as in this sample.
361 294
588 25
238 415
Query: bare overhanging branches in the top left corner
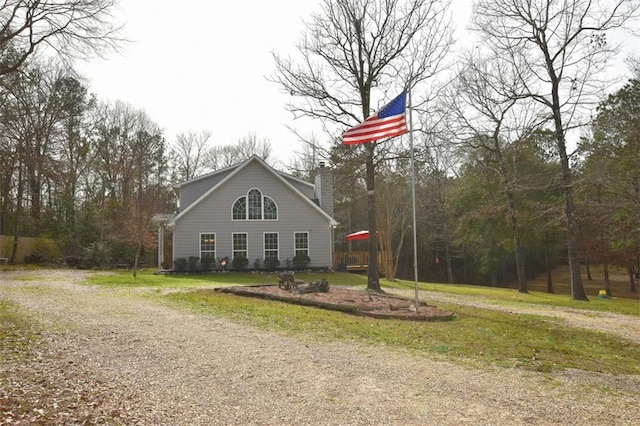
71 28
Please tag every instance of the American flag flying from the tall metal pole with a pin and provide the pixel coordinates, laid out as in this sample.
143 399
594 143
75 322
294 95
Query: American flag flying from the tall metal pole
390 121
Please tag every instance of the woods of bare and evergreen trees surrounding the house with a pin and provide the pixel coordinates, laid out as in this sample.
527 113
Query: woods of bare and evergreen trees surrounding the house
508 177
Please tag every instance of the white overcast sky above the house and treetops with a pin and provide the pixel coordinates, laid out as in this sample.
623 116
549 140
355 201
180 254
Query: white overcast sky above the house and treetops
202 65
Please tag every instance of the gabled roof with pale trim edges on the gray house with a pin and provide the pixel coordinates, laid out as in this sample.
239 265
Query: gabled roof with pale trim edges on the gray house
234 170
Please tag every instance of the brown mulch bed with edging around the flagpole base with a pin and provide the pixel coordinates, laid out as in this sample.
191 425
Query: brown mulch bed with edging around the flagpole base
357 302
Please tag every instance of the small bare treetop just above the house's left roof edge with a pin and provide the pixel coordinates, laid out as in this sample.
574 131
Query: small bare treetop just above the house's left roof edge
189 152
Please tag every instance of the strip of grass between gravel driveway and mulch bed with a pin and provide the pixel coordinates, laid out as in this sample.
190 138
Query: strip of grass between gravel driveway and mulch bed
478 336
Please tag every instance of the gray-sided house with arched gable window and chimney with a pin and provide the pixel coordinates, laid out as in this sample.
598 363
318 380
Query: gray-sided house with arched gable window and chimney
255 211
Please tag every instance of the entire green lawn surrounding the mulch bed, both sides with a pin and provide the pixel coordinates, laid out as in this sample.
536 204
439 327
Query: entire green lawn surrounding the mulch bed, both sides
476 336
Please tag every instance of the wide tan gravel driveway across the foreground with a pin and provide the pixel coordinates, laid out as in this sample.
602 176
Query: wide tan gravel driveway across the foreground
113 357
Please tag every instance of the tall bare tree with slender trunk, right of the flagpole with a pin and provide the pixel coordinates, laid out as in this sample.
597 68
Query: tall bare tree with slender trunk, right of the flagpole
564 45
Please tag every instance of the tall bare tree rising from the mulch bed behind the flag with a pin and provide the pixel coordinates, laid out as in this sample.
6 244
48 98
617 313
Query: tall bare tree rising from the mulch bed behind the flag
355 49
